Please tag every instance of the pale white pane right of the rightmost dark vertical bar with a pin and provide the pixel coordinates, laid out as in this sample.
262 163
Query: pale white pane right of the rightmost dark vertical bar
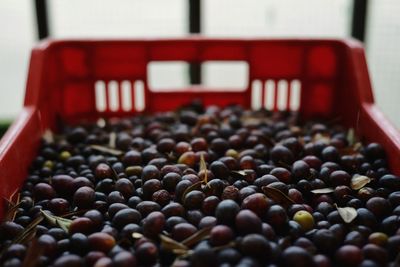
383 50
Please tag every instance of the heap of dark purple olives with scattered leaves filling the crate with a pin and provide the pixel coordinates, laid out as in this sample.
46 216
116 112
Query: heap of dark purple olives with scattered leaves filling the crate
193 183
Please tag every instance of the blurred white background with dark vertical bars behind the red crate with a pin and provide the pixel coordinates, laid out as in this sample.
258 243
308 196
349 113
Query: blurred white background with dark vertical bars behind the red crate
375 22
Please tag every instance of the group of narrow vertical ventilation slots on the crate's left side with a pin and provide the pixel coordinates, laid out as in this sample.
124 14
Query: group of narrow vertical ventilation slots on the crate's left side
117 96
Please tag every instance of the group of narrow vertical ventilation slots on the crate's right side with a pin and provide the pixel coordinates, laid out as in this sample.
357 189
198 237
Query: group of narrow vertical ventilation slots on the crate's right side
276 94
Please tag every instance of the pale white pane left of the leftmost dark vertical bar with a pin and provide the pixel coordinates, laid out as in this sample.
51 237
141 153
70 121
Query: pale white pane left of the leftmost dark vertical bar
17 35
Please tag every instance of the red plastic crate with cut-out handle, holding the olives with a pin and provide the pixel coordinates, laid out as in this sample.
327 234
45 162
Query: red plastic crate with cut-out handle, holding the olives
63 75
